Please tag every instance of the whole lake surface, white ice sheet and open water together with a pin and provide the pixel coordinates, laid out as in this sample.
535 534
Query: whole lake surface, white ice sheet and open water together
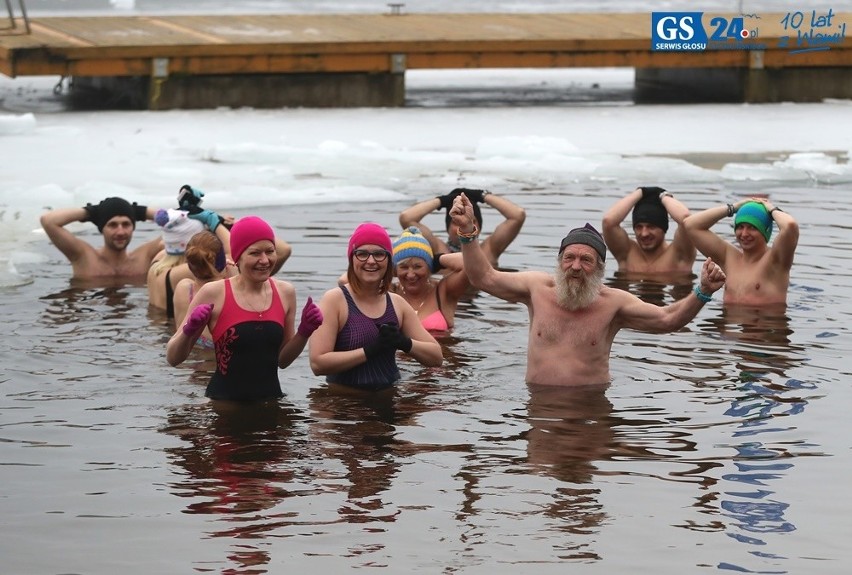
722 447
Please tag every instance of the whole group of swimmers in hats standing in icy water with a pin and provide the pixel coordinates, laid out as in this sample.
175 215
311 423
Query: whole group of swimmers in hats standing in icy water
217 279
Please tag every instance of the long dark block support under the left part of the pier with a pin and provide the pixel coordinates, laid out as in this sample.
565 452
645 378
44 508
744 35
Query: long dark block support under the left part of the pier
342 90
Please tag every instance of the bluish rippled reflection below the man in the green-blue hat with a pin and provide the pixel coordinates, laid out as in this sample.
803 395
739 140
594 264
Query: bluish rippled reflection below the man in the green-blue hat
759 341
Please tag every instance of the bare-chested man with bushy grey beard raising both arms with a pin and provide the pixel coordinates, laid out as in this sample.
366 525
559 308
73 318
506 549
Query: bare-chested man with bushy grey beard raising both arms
573 316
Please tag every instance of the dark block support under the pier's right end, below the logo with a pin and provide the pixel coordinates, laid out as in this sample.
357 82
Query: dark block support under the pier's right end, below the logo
753 85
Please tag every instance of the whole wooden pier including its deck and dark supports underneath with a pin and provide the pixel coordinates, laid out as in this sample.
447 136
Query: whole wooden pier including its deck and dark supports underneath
271 60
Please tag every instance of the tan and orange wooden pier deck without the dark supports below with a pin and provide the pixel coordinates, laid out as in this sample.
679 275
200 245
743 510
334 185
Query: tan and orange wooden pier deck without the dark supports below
275 43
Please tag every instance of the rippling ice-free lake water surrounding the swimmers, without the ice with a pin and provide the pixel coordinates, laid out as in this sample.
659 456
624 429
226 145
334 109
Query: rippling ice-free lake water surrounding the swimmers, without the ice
723 446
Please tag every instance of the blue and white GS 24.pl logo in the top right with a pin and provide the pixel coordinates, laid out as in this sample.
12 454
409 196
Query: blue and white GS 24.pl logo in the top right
684 31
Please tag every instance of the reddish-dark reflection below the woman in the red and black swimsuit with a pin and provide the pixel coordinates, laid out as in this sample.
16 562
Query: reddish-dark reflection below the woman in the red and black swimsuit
237 459
